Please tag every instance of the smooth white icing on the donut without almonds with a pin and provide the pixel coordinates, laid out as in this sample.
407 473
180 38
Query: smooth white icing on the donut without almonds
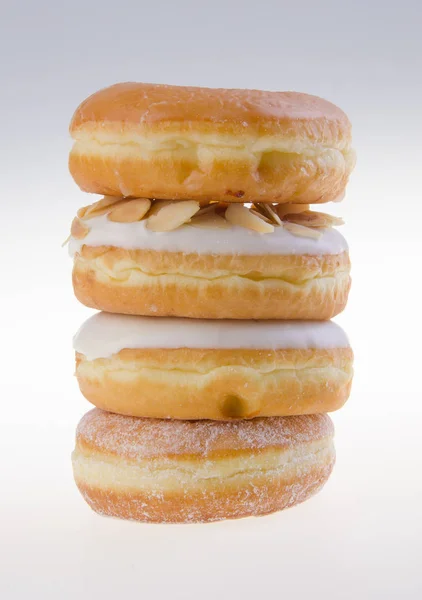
106 334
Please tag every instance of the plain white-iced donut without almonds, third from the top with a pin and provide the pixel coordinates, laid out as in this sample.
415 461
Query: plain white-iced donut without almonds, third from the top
221 370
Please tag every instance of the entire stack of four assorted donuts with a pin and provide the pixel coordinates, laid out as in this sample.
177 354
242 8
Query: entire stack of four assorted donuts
213 362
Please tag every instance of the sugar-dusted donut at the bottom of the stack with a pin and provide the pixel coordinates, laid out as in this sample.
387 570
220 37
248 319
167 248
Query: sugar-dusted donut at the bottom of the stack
197 471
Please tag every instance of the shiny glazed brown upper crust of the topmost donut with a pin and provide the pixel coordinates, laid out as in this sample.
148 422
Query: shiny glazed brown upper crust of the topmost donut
177 108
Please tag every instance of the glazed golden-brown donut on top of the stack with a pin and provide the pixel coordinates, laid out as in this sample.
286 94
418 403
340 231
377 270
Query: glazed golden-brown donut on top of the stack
171 142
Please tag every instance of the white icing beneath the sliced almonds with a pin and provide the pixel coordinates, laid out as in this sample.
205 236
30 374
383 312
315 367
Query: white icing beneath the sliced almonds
188 239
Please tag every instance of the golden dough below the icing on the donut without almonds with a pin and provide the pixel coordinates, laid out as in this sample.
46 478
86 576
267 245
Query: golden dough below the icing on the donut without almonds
189 383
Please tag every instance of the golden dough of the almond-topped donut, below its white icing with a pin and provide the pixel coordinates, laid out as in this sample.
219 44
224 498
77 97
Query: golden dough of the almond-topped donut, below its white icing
153 283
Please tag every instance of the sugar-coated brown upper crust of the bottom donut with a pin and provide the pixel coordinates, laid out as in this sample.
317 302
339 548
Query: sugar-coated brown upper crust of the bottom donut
135 438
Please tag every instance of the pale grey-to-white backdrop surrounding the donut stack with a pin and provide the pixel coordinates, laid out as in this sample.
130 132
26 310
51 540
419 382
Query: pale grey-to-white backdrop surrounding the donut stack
361 537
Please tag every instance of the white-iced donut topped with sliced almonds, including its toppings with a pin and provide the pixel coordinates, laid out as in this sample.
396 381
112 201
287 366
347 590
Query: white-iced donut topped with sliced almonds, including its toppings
227 262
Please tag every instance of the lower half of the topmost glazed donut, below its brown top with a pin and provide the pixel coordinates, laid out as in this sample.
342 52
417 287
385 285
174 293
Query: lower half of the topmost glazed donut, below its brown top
237 177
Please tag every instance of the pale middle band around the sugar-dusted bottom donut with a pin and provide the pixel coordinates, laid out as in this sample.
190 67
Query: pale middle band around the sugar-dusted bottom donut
168 475
